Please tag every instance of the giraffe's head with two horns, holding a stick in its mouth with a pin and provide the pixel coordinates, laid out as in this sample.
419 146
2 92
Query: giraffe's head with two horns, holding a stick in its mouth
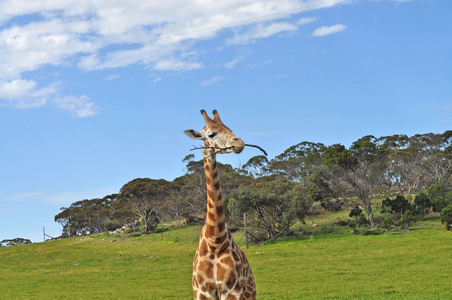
216 137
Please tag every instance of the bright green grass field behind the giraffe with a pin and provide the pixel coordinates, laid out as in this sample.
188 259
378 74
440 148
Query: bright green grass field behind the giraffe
417 265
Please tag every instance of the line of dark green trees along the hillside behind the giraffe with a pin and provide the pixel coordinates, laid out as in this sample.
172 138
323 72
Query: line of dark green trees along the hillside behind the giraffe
403 176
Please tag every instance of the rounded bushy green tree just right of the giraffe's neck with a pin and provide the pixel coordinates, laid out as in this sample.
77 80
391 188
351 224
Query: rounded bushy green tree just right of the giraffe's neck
272 206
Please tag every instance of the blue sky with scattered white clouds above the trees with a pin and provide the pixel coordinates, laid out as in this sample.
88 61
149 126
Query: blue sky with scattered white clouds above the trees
94 94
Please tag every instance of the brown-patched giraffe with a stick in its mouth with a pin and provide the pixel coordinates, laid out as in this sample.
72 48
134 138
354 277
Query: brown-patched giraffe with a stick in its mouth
220 267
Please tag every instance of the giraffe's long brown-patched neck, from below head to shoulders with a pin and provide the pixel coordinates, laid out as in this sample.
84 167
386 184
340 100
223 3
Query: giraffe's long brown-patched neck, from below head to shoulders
214 228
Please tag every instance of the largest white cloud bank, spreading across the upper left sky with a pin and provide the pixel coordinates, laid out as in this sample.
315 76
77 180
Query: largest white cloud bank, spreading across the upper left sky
104 34
